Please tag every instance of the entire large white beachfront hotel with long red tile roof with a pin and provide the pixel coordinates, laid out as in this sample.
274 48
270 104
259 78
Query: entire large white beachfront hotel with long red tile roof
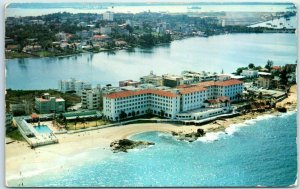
171 103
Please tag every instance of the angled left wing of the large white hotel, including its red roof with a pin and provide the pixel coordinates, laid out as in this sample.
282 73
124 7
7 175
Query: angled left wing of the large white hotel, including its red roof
158 102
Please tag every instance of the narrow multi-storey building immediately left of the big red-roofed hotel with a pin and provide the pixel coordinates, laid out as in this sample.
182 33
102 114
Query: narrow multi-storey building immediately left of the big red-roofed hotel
91 99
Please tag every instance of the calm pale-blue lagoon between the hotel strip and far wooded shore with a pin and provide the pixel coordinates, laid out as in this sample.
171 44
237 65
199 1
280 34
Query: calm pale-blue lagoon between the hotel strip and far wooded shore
213 54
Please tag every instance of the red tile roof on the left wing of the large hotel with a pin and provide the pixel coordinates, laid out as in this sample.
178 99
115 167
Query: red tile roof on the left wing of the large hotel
145 91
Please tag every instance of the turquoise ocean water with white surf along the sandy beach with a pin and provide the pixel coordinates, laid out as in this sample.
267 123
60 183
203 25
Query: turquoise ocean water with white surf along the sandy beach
259 152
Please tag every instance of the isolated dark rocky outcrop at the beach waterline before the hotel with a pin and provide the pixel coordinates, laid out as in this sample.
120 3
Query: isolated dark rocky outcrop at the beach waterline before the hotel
125 144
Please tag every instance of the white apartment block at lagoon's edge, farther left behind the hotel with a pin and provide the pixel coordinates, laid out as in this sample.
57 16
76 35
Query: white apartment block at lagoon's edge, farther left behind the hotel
73 85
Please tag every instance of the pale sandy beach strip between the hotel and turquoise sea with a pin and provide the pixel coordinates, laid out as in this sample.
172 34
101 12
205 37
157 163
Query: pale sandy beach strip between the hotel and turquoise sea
21 160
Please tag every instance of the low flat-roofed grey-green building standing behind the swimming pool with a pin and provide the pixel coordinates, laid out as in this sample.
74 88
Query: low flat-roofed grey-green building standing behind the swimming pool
47 104
